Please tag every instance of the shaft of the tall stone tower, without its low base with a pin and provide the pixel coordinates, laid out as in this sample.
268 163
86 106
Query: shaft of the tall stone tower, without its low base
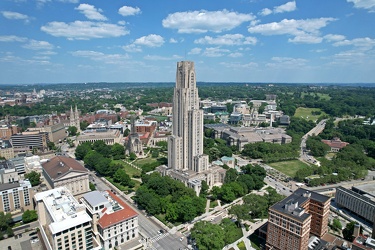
185 145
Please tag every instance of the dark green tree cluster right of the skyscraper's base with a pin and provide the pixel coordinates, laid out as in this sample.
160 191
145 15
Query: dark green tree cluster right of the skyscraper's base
238 184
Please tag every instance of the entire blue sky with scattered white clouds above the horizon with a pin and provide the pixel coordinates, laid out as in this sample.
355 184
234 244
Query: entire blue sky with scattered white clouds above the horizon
302 41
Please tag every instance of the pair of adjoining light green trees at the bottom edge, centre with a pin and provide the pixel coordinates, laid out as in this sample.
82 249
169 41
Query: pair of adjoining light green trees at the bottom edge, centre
212 236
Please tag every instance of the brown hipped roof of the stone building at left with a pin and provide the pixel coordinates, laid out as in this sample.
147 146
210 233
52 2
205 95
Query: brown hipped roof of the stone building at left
61 165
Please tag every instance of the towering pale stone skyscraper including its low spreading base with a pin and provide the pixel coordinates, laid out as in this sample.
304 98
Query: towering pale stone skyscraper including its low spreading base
186 161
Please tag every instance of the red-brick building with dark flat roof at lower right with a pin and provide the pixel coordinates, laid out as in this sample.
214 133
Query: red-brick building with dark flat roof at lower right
292 220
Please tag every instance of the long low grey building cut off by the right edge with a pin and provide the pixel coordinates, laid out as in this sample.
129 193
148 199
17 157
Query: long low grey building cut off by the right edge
359 200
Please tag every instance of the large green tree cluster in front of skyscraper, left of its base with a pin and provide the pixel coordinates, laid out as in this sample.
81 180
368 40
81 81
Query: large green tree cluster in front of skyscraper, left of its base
163 195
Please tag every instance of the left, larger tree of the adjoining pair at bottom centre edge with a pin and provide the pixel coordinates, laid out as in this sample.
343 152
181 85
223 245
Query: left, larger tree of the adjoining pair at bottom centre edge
208 236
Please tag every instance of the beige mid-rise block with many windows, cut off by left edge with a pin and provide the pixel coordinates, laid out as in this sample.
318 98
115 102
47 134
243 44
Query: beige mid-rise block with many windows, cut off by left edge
15 196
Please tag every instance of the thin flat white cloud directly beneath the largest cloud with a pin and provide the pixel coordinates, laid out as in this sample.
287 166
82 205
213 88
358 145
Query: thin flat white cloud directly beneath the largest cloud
228 39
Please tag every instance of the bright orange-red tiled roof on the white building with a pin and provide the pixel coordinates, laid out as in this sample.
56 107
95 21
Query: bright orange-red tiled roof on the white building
109 219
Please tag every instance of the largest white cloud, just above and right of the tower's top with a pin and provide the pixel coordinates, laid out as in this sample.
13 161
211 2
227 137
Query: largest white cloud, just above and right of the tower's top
204 21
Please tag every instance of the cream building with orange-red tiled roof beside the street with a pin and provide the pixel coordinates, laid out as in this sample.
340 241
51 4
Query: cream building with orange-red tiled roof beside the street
114 222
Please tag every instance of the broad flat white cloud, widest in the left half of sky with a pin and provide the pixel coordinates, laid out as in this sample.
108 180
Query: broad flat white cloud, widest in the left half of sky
84 30
